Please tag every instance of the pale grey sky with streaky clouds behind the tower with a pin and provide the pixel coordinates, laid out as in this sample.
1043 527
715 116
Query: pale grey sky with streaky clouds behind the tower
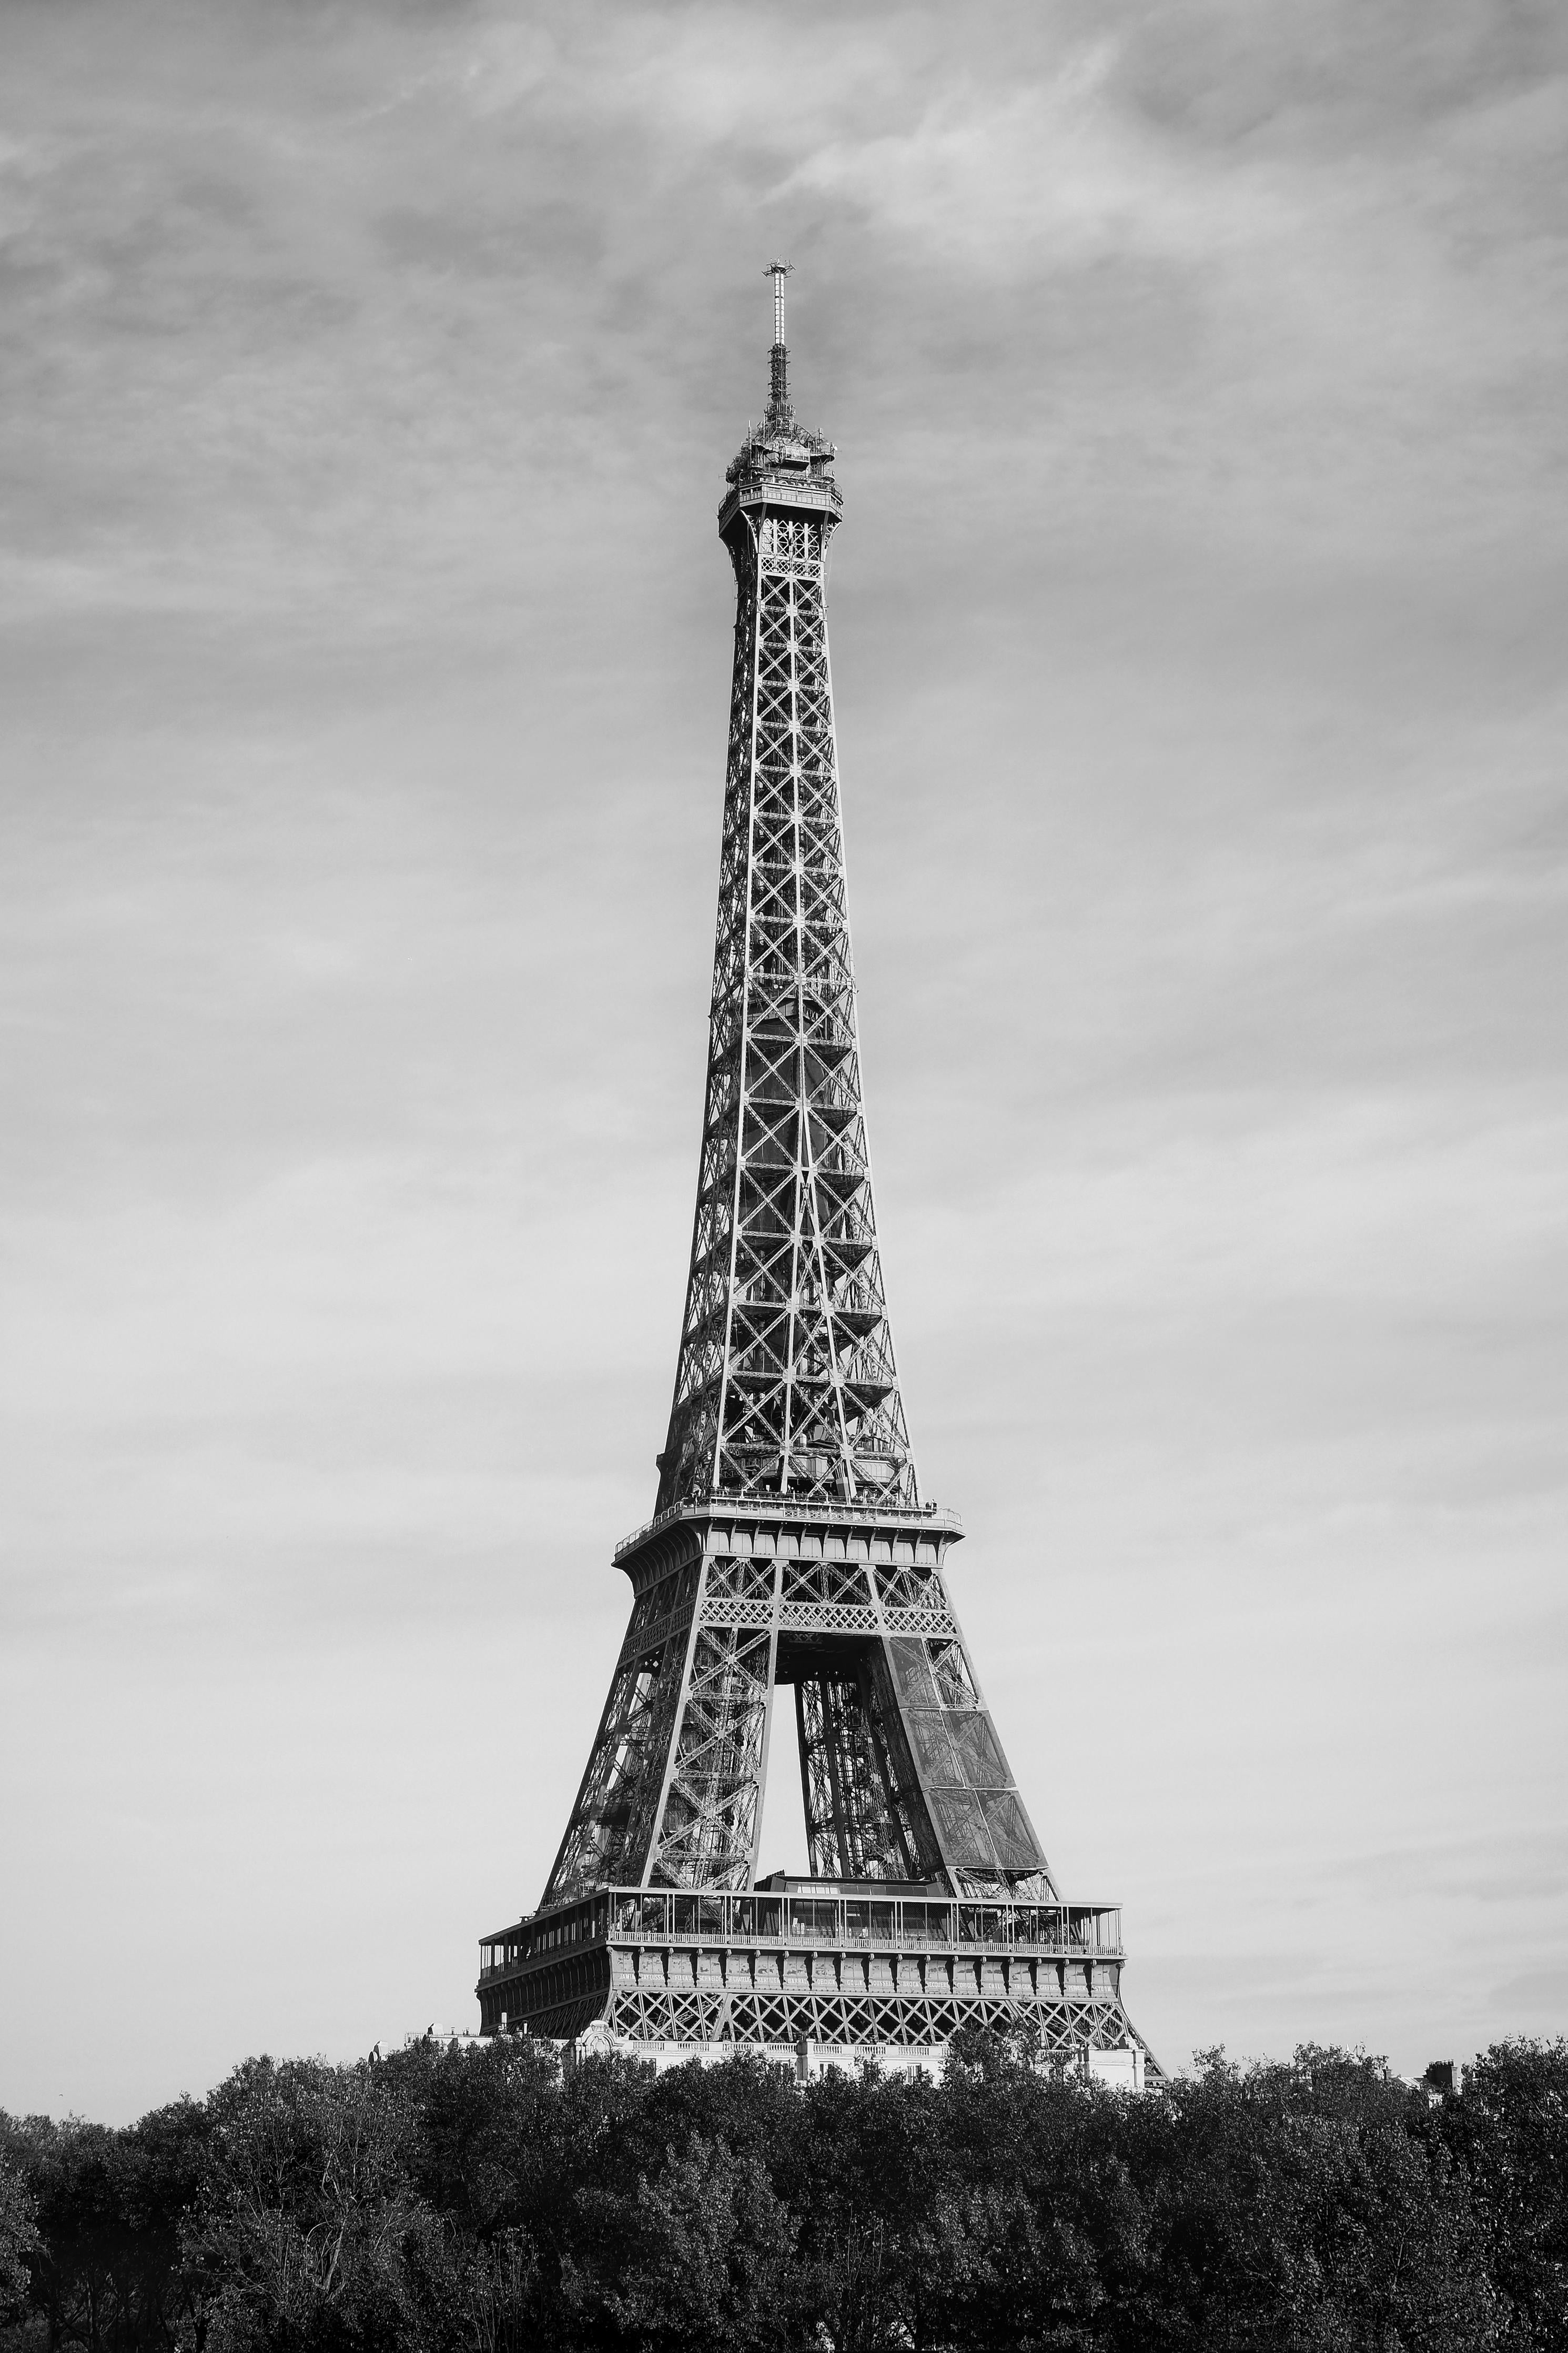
1198 627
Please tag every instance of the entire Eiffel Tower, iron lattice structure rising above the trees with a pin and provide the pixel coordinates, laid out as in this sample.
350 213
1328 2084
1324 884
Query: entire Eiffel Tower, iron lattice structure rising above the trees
791 1545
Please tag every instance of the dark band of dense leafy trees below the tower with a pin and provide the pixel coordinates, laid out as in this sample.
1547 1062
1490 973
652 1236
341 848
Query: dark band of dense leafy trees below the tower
490 2201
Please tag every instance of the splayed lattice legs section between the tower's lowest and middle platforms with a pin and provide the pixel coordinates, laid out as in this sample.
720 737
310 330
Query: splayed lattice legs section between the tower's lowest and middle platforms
904 1773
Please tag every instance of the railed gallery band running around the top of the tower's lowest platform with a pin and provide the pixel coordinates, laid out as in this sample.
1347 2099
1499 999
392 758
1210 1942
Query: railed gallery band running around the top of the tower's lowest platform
819 1919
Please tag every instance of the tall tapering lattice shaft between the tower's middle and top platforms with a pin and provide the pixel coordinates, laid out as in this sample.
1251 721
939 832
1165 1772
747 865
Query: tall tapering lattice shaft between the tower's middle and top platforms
786 1378
